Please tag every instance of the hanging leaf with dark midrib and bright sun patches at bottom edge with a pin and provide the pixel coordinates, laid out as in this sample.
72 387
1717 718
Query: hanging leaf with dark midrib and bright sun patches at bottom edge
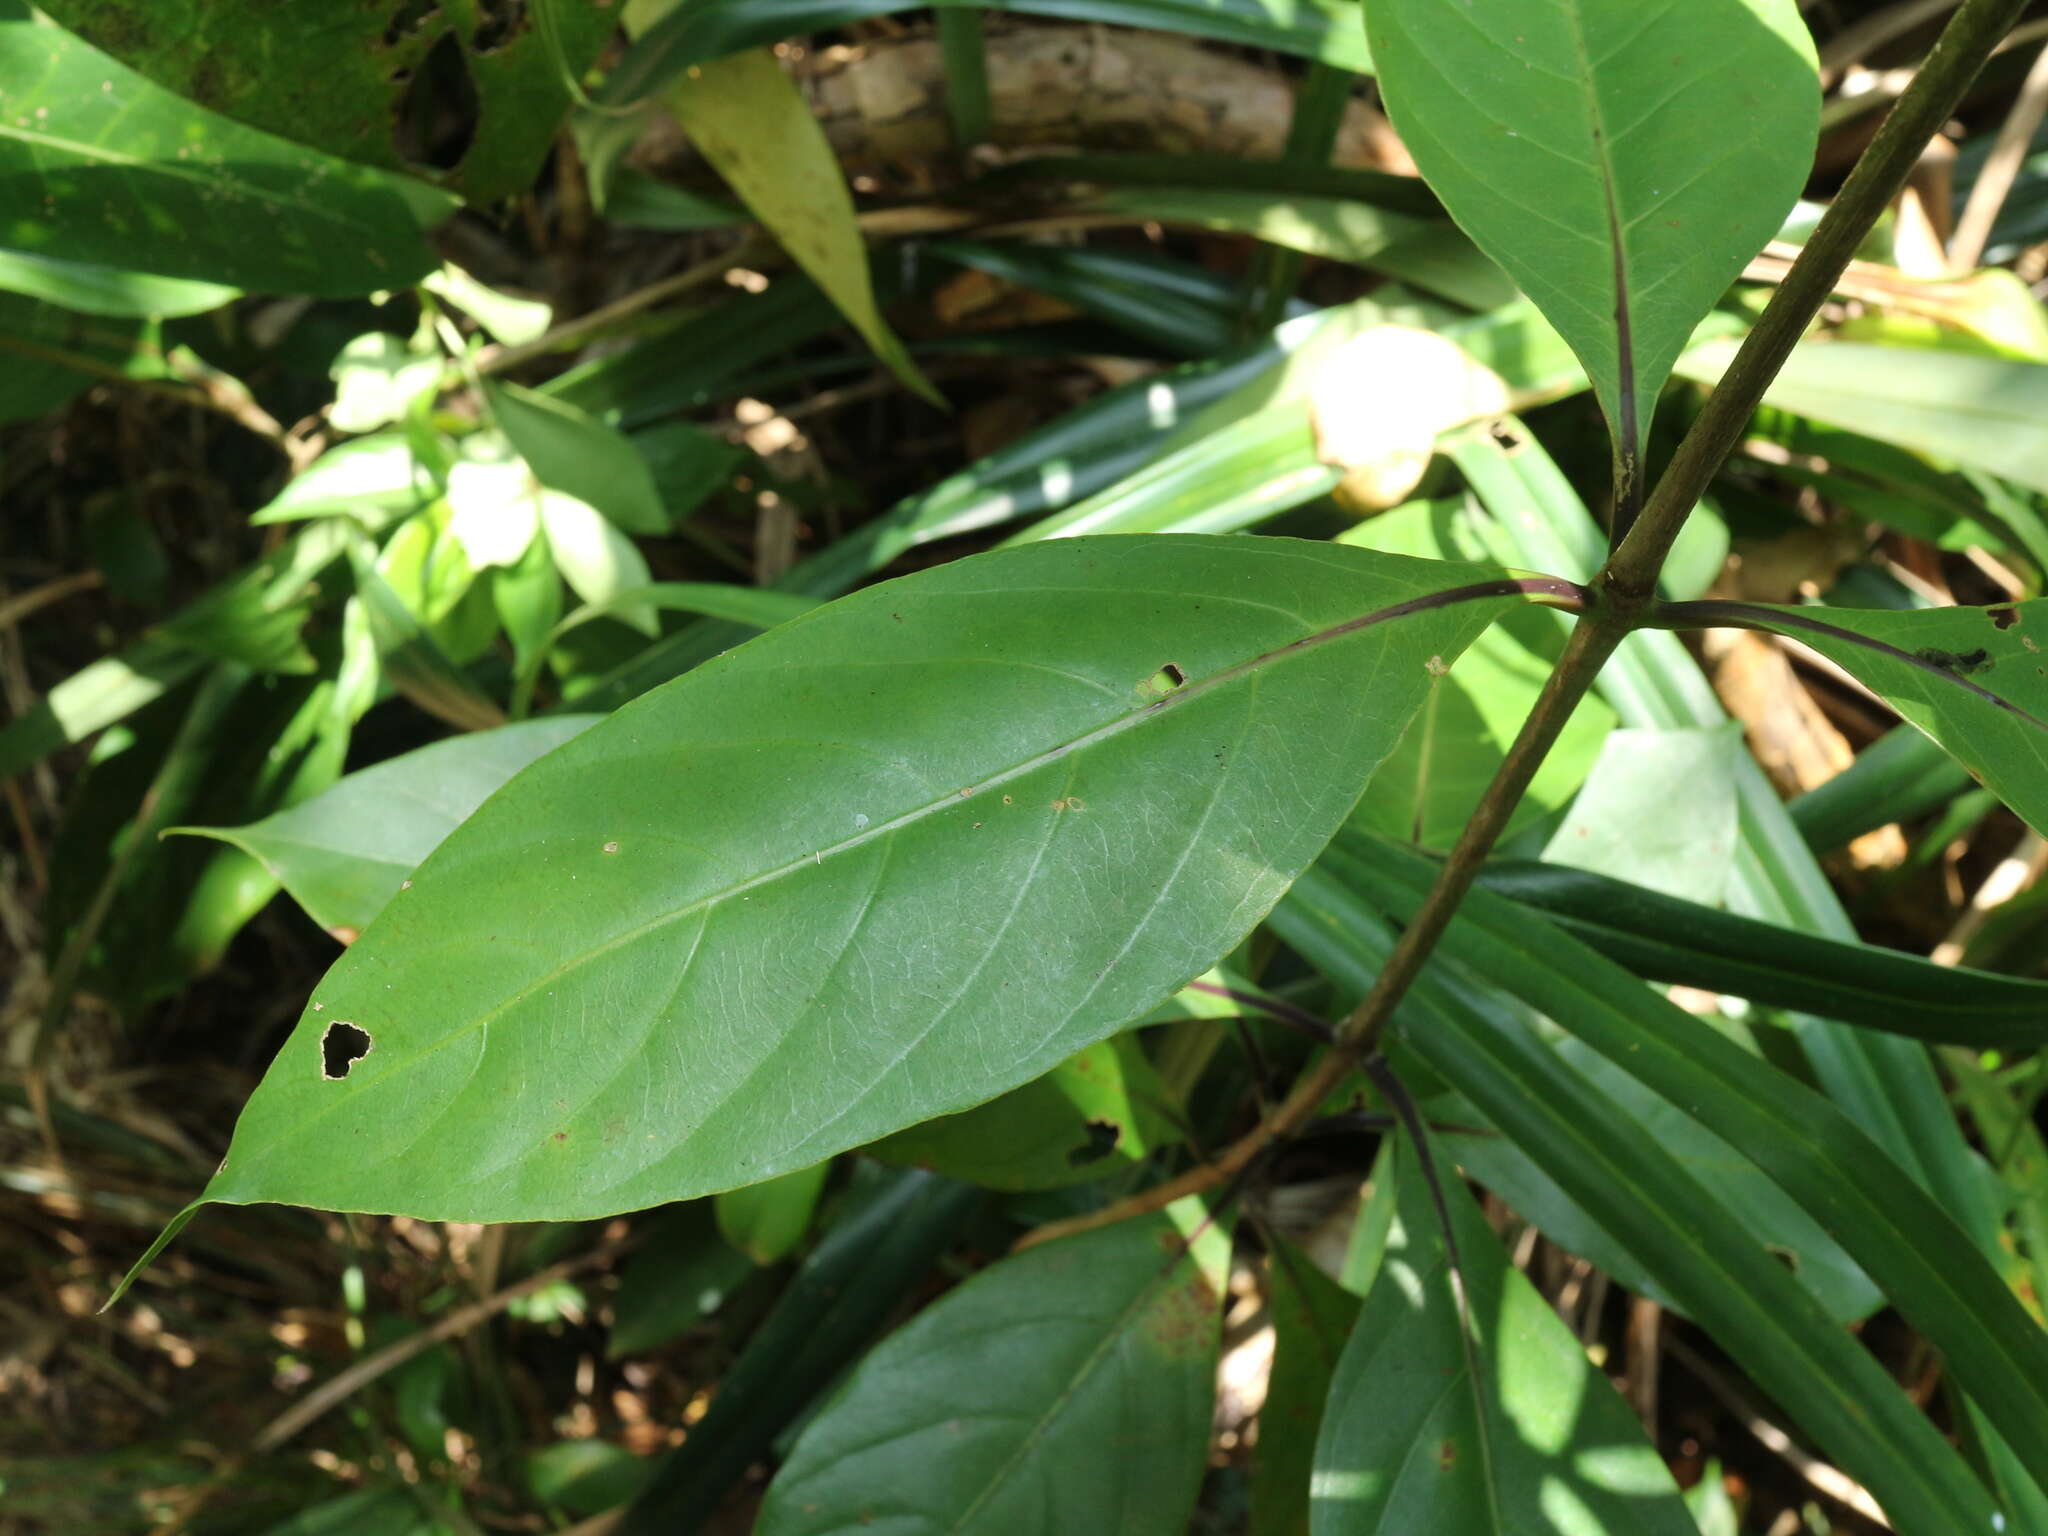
1486 1420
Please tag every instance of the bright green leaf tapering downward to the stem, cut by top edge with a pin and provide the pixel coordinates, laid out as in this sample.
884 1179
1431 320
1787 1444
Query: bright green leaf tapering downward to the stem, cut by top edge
1621 159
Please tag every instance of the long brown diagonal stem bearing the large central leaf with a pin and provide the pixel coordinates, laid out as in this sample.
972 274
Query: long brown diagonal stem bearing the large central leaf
1625 589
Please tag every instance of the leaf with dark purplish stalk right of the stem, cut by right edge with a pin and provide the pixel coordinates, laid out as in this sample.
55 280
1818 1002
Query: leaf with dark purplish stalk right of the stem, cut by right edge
1973 679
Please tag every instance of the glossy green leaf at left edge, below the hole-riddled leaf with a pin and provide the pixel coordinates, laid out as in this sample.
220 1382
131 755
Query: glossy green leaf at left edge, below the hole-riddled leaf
103 167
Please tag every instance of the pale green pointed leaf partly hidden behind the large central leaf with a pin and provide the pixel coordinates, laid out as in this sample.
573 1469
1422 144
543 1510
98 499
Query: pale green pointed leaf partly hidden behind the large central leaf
343 855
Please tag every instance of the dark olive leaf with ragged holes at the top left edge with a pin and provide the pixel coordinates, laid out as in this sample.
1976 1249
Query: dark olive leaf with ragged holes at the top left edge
339 77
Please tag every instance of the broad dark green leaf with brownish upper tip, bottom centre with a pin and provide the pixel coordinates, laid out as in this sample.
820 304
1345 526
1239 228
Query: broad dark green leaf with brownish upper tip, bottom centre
992 1410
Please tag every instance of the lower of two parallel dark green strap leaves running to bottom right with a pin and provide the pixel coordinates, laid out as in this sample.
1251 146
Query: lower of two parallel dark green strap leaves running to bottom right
1676 1226
